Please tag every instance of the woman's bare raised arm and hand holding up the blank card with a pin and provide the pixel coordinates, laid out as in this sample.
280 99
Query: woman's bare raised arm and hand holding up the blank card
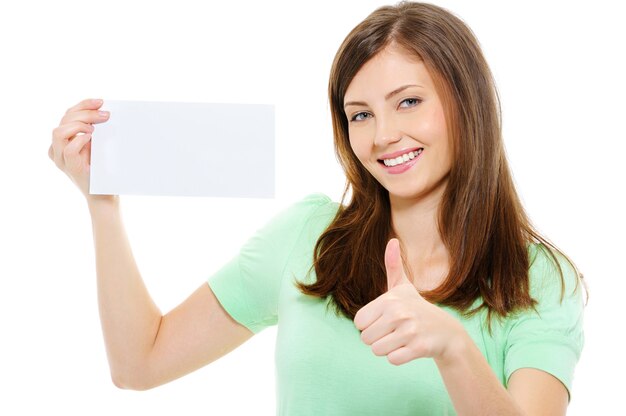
144 347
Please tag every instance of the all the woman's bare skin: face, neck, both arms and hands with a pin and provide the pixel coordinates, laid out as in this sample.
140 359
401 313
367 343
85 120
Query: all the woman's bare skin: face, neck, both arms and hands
146 348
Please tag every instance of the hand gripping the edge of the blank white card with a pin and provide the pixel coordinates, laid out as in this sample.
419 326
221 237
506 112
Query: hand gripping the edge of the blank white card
71 141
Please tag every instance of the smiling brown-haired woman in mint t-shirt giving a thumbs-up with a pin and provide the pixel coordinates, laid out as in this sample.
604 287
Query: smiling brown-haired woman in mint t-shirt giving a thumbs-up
431 263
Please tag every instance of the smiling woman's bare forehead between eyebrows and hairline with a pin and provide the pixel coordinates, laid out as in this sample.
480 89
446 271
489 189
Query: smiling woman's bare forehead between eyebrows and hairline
388 69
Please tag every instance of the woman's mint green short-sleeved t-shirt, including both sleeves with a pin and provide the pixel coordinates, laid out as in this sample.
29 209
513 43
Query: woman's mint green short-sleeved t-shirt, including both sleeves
323 367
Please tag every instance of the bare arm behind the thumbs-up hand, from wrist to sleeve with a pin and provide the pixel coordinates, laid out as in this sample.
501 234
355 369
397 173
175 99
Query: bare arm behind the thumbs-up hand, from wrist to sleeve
475 390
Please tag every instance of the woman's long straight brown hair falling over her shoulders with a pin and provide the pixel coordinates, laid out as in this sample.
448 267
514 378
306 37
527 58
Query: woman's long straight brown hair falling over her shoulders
481 219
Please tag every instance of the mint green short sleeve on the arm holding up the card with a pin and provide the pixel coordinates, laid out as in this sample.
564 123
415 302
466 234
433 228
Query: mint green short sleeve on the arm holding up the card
248 286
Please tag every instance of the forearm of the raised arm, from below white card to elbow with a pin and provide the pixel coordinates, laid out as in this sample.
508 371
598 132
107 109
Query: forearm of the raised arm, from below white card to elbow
130 319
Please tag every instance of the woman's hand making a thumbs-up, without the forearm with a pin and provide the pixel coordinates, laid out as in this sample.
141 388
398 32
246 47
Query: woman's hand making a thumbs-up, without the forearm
401 324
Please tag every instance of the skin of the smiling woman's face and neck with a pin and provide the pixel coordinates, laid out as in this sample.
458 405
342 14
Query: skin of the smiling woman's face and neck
411 118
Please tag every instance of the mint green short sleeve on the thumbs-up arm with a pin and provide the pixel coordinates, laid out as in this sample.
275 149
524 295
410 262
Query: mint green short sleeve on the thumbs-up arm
552 338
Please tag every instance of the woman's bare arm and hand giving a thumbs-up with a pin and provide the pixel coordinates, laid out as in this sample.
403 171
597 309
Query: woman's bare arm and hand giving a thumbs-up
404 326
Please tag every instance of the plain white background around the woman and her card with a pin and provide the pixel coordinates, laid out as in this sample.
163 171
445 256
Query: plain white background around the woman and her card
559 70
